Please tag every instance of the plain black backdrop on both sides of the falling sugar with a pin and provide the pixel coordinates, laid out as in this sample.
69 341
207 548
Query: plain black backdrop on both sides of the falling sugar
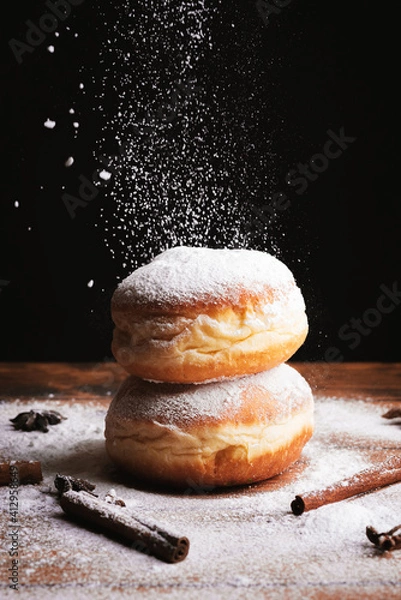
332 65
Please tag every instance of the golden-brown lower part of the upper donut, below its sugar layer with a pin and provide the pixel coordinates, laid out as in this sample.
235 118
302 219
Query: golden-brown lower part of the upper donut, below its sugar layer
224 342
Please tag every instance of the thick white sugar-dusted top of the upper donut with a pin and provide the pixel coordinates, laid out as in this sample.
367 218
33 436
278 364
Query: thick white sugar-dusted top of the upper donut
184 276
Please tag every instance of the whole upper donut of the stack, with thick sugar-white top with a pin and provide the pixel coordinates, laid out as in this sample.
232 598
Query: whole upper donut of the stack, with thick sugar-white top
201 314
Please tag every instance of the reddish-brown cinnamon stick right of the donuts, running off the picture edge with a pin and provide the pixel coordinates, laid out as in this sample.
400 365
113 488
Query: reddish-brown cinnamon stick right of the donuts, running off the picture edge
382 474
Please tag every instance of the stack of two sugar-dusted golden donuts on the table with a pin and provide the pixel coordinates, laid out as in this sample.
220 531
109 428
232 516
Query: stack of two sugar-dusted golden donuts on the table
204 335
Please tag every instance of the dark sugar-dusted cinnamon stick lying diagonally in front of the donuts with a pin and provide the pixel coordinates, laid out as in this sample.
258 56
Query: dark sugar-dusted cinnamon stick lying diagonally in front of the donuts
146 536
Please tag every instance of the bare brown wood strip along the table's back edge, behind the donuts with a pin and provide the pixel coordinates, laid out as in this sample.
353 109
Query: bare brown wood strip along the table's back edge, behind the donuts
83 381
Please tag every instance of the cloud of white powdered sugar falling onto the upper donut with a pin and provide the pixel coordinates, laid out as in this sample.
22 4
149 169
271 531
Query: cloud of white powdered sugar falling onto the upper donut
189 159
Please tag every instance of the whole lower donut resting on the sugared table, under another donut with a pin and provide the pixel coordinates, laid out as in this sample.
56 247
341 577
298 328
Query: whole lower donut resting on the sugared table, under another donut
226 433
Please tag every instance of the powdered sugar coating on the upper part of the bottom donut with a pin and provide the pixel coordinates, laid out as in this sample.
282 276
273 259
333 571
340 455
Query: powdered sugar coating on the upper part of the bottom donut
172 404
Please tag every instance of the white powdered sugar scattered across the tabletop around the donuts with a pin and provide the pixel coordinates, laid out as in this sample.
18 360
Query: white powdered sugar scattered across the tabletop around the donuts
243 541
